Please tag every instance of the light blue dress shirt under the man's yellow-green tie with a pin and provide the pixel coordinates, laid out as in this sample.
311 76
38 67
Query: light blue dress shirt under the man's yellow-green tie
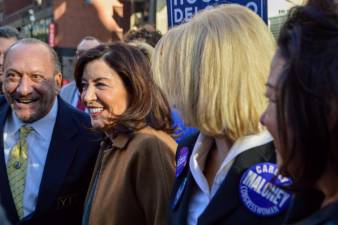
38 142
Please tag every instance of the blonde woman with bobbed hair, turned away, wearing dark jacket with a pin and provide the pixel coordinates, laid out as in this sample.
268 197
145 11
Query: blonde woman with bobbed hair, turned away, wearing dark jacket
214 69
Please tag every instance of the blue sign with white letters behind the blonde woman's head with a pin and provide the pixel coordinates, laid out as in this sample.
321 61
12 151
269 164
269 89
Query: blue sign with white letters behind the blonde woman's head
182 10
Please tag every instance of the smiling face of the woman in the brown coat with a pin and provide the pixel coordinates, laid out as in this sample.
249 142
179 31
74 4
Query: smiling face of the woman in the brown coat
103 93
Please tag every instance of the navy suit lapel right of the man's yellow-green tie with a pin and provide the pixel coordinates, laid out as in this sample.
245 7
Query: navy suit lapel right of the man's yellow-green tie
61 152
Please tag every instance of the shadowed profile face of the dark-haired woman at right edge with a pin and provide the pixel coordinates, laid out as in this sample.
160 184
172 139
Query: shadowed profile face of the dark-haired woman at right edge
269 117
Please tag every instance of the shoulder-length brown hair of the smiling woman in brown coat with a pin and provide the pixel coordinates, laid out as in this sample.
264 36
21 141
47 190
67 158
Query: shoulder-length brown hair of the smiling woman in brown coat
147 103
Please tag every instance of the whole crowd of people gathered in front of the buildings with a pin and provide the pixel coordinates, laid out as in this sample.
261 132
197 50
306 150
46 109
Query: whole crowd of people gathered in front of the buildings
213 123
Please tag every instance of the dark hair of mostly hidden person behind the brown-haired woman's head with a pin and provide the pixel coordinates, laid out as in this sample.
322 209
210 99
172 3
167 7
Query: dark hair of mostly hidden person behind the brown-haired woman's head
147 34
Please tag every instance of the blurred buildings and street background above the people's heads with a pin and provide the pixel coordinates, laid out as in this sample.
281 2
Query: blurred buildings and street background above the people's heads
63 23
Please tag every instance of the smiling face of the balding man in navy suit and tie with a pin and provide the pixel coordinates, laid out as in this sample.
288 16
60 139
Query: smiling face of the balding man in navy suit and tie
30 85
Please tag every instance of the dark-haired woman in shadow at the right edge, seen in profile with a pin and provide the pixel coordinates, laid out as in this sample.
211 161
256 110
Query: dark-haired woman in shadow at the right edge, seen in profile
302 114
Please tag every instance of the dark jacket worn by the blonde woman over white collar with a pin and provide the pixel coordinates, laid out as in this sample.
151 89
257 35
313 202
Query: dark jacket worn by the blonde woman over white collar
225 208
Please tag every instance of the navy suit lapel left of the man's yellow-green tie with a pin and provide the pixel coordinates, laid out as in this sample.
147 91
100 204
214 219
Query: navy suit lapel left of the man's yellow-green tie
5 191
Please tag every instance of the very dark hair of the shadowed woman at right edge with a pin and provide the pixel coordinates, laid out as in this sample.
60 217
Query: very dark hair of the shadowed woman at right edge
308 92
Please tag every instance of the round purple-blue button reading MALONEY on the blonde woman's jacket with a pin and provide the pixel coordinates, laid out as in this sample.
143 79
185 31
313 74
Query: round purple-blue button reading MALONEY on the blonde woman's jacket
261 190
